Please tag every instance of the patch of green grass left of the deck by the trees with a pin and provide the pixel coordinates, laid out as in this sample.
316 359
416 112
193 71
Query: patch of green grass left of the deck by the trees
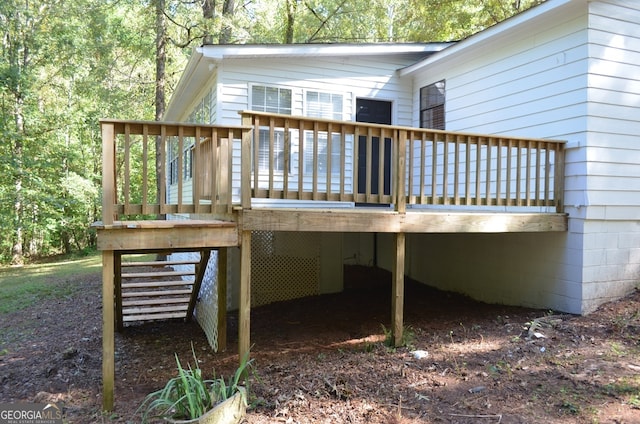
24 286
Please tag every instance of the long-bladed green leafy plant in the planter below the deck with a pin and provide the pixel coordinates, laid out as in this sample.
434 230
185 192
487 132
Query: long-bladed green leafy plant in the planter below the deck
189 395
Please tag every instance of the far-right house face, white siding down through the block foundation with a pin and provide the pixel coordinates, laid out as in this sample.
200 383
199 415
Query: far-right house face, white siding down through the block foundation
612 215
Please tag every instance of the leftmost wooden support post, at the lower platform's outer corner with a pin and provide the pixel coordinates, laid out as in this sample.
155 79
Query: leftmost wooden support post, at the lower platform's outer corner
108 327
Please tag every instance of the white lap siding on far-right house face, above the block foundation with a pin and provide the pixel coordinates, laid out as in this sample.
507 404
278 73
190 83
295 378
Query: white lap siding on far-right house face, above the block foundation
614 99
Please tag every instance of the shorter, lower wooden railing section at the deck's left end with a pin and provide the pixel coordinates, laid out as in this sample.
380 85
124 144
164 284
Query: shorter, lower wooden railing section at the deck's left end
193 172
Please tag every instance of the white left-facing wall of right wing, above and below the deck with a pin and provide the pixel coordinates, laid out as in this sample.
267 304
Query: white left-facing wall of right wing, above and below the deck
529 83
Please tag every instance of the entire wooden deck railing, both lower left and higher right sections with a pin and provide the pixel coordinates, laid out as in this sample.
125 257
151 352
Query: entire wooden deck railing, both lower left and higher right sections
206 169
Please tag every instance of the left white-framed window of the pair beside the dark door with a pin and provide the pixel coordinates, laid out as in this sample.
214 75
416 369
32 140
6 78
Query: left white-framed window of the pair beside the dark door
272 100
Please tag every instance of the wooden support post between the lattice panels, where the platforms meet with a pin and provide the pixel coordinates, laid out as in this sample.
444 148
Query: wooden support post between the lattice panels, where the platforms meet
244 309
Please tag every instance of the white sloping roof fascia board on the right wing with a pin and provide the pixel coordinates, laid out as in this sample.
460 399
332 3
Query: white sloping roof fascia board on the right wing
492 33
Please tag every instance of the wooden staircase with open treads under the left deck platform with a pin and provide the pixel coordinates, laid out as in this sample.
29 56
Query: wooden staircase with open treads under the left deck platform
153 290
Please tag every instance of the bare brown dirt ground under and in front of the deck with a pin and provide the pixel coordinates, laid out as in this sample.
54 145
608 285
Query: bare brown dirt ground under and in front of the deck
324 360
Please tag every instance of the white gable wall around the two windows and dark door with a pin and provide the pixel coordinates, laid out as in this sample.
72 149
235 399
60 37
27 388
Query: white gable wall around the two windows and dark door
352 77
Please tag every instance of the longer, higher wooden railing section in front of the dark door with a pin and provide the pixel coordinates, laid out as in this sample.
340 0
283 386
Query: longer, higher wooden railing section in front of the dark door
306 158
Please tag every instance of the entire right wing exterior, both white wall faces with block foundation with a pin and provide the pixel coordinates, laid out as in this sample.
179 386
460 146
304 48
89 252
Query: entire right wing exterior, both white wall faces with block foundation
563 76
